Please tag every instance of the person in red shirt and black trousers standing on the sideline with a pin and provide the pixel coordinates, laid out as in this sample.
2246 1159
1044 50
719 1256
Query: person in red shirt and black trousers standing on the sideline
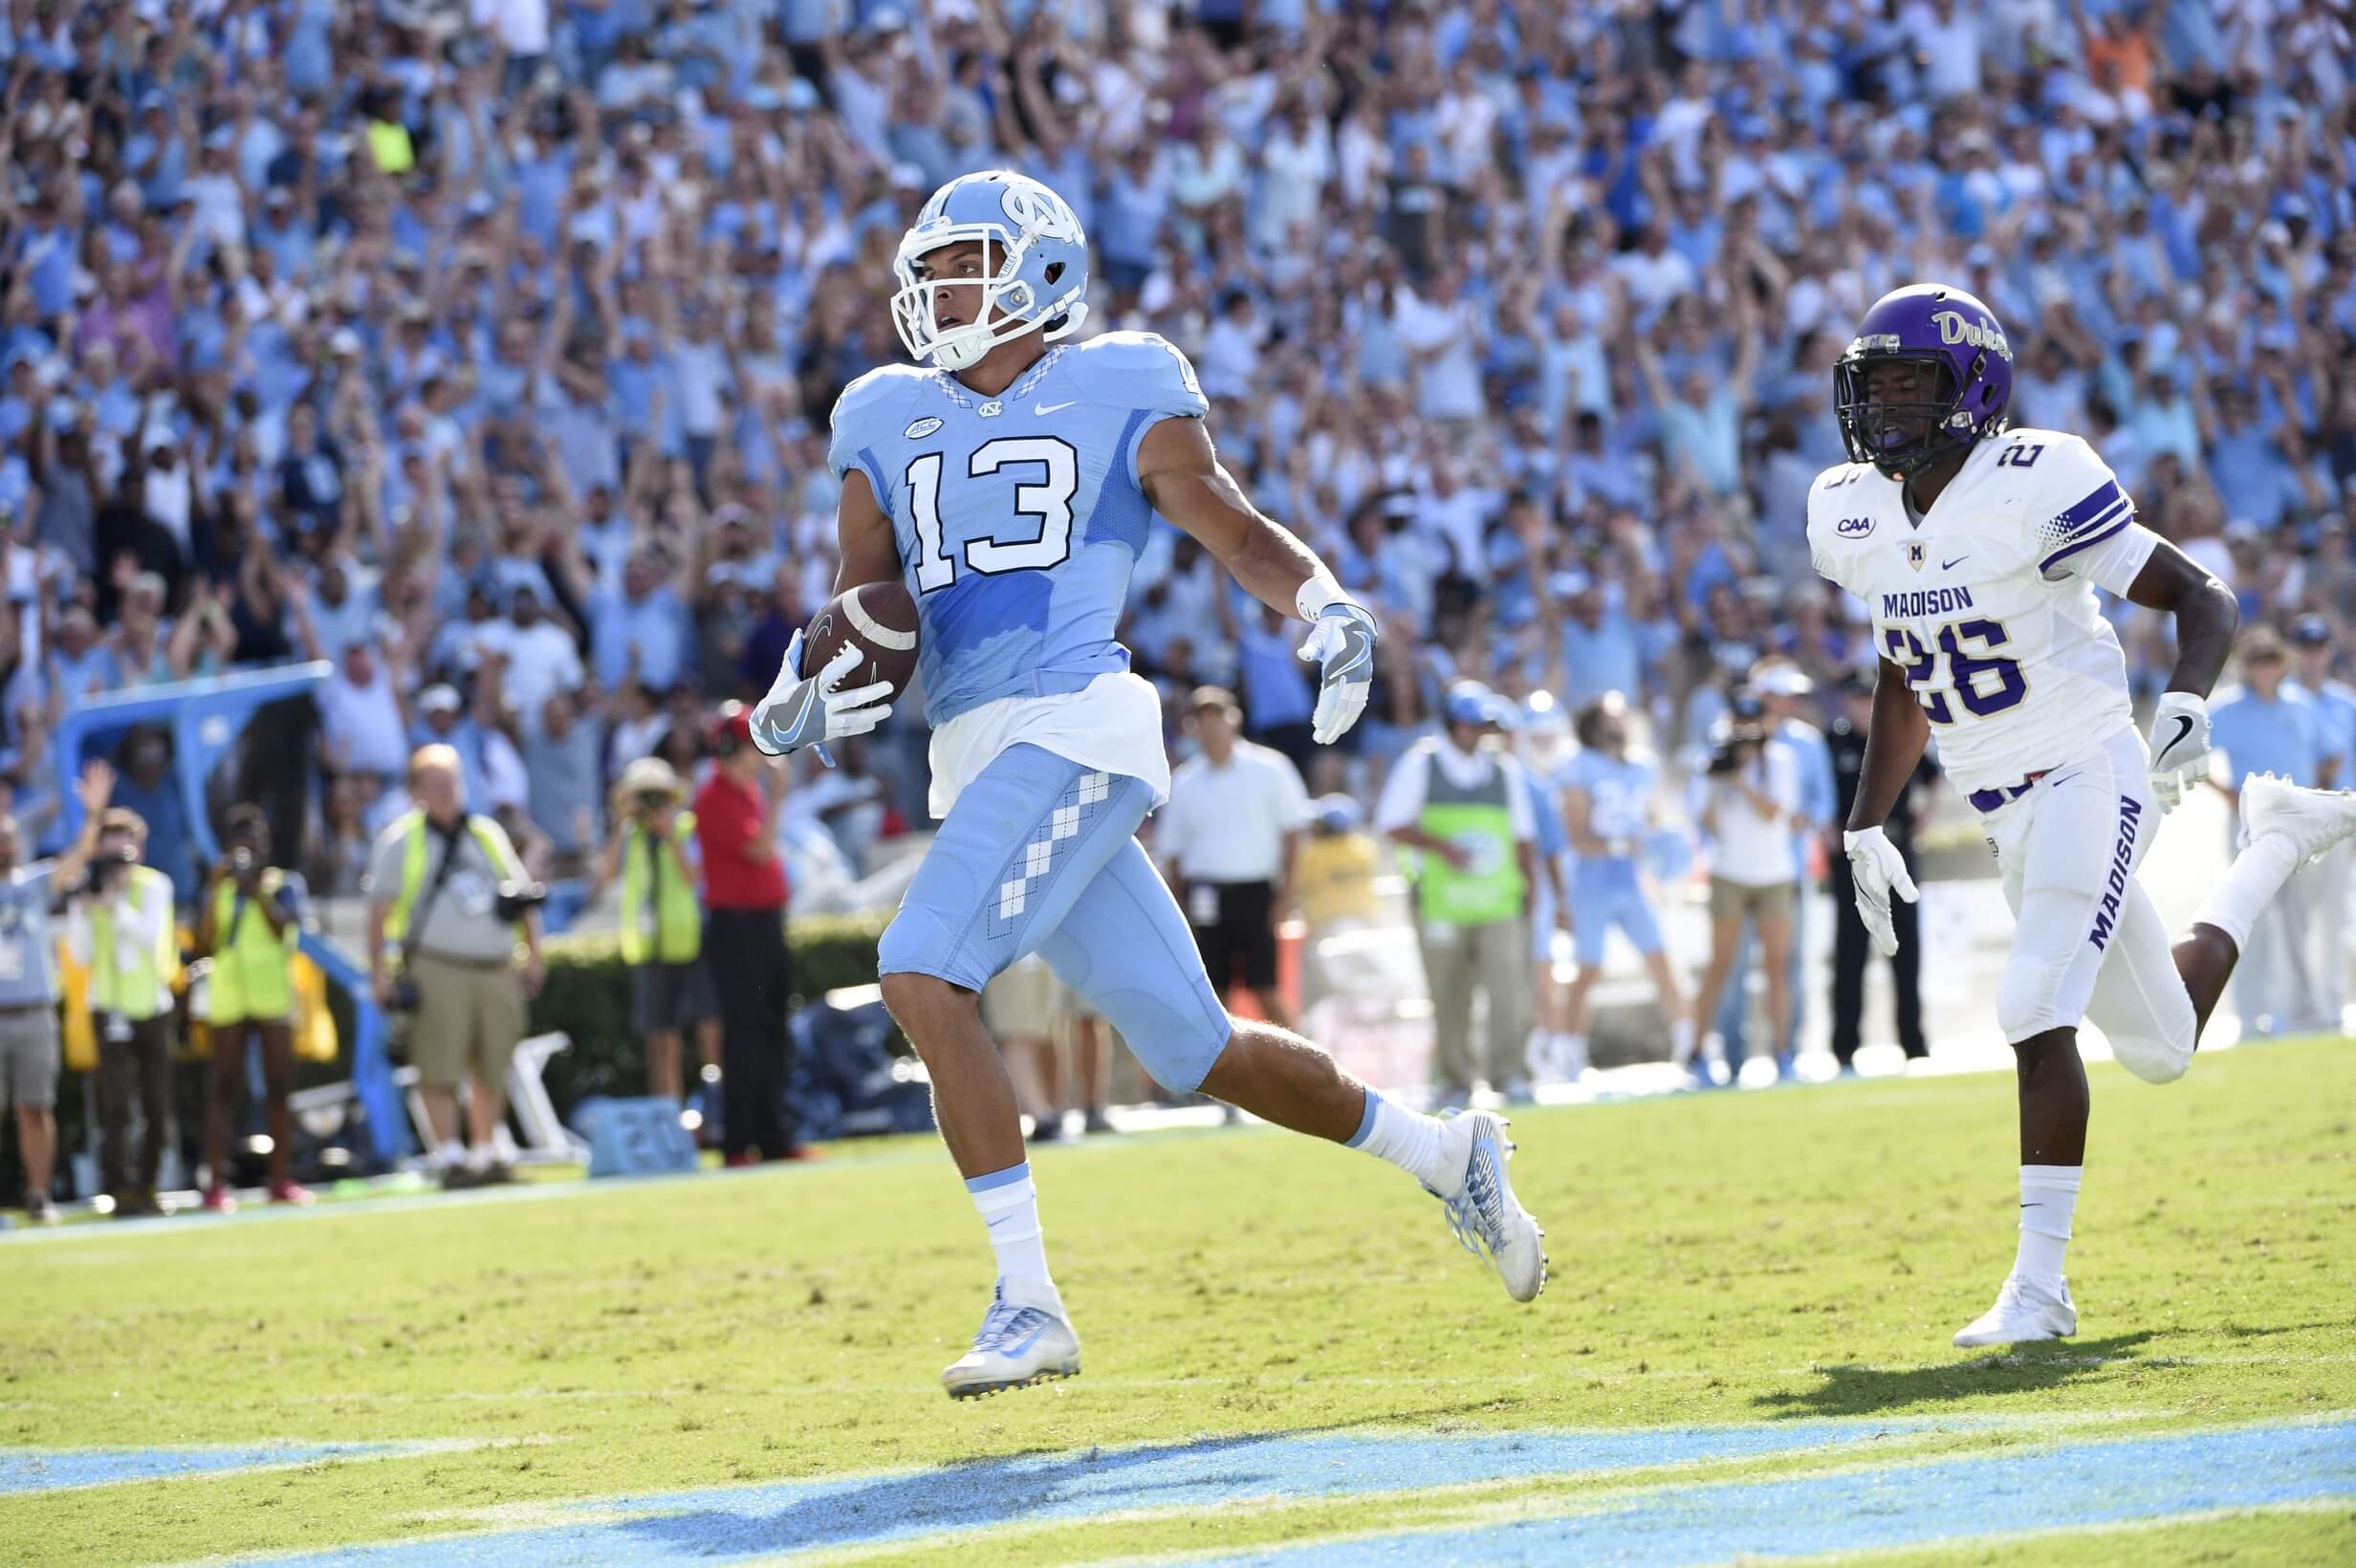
746 893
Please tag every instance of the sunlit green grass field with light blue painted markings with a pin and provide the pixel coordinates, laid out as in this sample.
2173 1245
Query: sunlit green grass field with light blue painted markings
1763 1270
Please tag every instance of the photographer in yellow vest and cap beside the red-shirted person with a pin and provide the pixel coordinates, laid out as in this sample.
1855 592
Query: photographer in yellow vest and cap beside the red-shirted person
663 924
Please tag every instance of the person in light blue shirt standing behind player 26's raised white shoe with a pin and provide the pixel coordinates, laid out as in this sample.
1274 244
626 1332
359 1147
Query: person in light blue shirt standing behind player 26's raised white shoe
2270 724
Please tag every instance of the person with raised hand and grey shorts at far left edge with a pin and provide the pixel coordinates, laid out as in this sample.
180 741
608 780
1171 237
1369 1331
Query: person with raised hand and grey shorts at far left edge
29 1049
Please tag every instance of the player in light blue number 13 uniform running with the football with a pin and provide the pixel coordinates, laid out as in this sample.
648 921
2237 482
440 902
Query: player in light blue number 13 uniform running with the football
1010 486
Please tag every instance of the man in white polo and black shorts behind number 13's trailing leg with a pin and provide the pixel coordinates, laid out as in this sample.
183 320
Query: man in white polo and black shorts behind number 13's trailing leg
1229 839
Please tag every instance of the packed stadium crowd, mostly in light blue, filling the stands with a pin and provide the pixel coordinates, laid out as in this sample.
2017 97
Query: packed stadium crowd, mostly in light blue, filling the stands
487 350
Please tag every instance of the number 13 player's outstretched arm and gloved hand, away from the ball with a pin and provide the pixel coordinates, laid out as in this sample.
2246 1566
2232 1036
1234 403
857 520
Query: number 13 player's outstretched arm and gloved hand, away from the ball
1189 486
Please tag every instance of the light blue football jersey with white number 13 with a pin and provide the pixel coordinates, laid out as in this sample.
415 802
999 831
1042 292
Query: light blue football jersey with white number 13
1019 519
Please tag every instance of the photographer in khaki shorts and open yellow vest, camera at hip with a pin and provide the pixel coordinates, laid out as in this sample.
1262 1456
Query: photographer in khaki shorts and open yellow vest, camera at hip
446 908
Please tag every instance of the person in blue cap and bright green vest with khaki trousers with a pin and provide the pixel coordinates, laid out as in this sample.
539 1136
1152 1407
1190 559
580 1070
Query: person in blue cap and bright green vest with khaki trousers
1460 806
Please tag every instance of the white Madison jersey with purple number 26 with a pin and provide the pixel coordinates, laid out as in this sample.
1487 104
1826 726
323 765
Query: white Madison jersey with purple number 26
1990 602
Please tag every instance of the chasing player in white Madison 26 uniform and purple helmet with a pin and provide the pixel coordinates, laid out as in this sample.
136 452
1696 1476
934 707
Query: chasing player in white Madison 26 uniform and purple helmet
1980 547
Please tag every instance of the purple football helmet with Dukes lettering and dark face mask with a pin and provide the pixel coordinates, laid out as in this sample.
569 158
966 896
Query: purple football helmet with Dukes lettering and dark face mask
1968 394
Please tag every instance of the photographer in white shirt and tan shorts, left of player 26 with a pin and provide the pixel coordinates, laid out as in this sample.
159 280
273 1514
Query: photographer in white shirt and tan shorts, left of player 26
1749 811
